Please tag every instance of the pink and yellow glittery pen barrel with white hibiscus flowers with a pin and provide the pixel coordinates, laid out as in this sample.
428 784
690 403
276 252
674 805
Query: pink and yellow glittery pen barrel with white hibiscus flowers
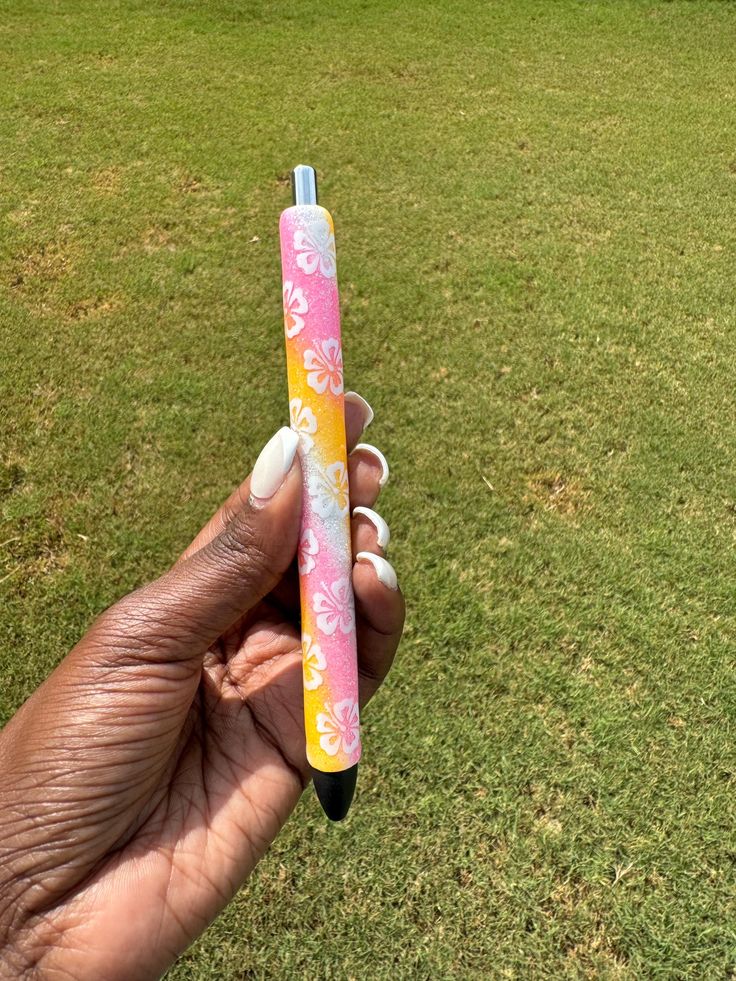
316 408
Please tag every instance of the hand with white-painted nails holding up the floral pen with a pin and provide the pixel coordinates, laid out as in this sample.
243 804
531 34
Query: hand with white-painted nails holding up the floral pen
150 772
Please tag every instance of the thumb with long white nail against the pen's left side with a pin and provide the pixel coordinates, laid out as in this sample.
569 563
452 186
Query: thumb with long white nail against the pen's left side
179 615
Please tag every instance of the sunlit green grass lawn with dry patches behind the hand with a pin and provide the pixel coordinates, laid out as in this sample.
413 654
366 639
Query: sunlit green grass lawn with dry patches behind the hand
534 209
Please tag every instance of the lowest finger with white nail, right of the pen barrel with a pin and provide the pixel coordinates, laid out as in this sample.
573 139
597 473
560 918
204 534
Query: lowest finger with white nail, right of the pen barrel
379 610
